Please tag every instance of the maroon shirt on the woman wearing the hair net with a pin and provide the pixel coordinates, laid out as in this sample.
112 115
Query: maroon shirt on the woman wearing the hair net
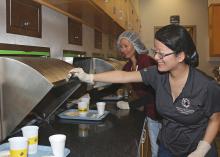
145 94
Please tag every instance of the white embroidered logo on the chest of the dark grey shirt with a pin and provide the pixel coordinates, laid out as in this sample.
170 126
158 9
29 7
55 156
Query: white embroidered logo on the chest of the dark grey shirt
184 108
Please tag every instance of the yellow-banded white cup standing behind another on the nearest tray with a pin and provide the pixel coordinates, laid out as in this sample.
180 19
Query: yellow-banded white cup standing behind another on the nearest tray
31 132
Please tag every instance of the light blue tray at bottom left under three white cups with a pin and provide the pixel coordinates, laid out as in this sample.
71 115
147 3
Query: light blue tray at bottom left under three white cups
41 150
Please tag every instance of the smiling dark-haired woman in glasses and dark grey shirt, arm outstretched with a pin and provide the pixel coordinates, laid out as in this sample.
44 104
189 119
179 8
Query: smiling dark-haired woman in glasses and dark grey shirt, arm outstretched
186 98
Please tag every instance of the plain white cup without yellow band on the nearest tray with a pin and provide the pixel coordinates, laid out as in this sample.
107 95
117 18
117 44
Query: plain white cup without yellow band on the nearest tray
57 143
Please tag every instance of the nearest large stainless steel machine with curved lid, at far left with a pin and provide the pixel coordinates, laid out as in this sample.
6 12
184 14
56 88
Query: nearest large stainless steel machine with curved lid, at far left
31 84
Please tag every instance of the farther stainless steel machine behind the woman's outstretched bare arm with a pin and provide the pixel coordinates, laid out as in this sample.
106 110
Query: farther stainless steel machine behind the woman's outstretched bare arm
97 65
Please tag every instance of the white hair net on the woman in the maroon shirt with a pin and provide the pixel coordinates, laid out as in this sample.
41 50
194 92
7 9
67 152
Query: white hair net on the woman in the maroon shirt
134 39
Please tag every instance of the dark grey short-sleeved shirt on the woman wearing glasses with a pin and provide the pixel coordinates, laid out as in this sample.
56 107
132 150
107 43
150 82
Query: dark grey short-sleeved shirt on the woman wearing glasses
184 120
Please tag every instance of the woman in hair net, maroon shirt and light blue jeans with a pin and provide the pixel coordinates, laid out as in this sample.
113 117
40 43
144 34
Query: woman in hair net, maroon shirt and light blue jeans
131 48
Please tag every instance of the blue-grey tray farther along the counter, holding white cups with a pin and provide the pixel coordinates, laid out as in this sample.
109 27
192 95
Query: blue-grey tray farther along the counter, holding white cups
73 114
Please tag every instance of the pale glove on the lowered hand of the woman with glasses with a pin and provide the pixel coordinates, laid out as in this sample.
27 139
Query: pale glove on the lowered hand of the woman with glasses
201 150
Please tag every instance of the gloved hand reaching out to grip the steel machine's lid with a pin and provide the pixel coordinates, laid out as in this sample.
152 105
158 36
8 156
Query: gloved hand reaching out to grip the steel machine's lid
84 77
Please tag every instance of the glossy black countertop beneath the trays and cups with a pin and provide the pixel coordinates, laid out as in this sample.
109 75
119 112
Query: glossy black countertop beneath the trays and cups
117 135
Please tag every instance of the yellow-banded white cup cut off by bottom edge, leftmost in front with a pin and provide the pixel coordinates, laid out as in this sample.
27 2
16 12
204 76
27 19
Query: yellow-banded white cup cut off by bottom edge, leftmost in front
18 146
